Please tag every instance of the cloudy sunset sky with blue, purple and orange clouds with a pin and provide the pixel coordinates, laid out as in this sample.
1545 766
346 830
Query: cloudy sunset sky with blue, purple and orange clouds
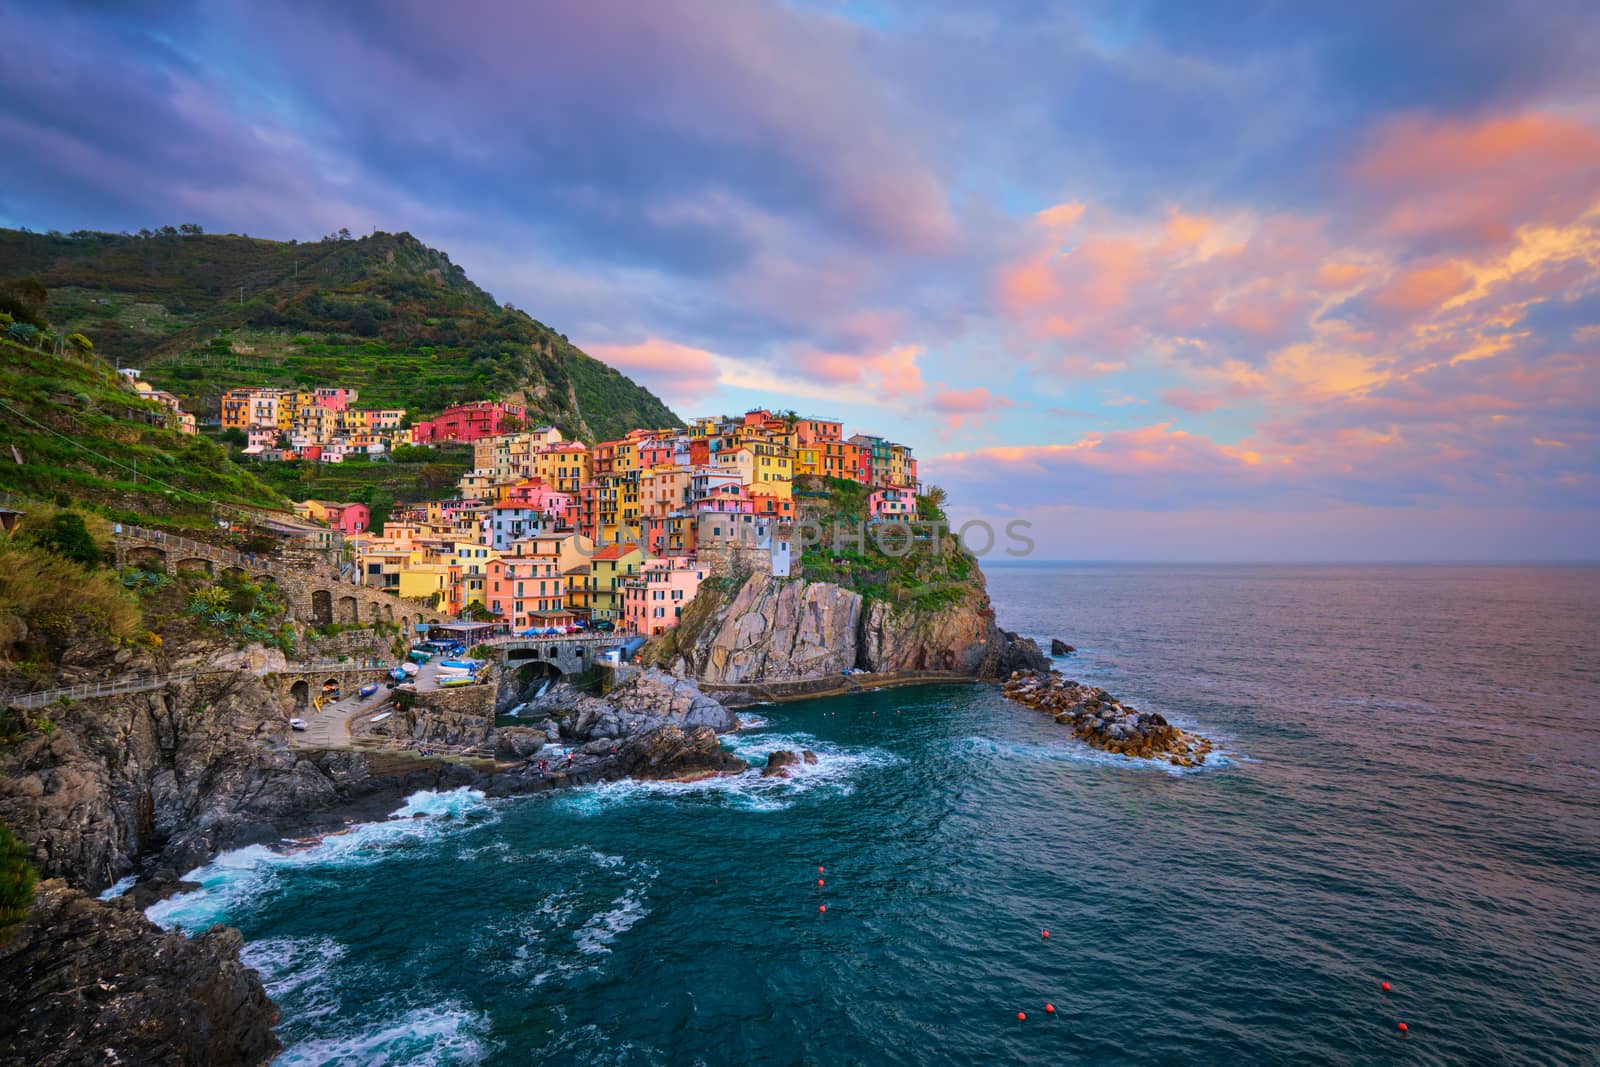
1166 281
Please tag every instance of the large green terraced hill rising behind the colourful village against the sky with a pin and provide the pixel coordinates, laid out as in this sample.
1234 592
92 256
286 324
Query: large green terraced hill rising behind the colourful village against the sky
383 314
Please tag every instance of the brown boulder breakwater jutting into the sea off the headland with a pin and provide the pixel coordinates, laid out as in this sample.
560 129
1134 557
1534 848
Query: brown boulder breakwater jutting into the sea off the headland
1105 722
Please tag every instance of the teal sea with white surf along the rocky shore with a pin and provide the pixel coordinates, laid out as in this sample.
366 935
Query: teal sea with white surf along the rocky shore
1407 793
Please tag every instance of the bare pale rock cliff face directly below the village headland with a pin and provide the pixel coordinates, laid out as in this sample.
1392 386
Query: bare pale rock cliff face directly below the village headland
774 629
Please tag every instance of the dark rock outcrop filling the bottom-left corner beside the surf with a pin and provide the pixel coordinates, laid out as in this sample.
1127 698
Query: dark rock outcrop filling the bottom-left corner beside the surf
89 985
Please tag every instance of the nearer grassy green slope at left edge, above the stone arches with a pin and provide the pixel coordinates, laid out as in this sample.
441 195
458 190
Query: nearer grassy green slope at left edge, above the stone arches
71 430
